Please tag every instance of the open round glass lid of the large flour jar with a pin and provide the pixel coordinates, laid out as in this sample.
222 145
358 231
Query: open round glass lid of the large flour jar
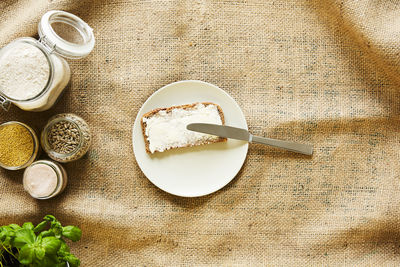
66 34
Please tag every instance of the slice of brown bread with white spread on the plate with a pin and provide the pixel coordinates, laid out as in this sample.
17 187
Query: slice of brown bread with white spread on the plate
165 128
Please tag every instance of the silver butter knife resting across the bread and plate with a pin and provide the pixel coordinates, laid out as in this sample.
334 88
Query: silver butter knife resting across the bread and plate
242 134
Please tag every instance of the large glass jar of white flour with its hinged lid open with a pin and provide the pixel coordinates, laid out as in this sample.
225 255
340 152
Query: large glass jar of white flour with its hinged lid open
33 73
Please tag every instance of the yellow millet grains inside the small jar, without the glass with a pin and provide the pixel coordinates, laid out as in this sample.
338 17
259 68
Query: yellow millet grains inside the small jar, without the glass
16 145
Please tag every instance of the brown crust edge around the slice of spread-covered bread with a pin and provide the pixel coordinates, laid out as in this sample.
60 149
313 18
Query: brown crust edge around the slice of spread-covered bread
186 107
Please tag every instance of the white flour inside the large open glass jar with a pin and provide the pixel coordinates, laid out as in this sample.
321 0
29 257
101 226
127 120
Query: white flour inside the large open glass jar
24 71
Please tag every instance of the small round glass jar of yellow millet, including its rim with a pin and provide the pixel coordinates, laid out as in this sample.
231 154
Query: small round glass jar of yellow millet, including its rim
19 145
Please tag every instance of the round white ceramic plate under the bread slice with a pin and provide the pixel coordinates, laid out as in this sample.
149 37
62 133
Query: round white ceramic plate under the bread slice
195 171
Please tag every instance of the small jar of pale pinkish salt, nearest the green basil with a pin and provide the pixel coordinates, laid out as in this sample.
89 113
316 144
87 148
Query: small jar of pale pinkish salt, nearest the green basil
44 179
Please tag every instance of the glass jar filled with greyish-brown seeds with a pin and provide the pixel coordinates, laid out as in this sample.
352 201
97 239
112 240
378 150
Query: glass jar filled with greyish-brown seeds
66 137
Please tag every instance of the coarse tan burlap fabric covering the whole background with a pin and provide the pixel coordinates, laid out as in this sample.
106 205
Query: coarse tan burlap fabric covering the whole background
323 72
